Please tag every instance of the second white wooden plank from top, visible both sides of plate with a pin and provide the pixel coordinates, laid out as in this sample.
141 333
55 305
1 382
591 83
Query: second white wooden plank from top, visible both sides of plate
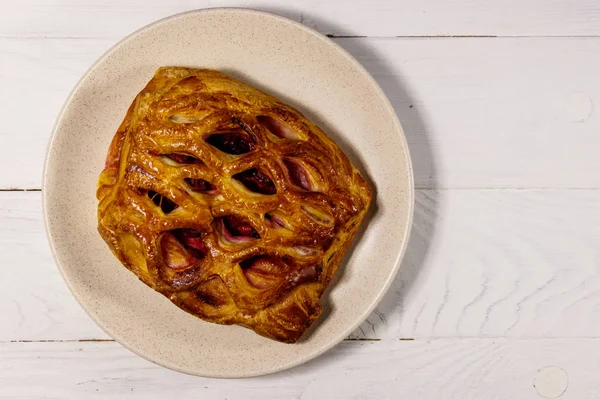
478 113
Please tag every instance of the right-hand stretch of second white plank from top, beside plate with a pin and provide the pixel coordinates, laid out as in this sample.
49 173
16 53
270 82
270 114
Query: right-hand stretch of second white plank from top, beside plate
492 113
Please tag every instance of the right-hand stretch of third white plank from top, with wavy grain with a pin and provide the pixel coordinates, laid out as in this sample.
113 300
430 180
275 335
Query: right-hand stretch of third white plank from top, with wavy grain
519 263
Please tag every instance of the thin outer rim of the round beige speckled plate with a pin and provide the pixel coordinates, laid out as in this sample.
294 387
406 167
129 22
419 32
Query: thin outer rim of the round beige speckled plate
404 235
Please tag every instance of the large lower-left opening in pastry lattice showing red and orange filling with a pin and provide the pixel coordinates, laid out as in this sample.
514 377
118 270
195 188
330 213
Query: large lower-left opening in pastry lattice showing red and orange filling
182 248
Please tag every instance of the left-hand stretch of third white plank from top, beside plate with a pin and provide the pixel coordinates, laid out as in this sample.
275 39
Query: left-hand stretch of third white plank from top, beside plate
35 303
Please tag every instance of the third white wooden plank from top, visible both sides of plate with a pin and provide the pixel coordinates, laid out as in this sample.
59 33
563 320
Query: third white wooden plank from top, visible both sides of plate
510 263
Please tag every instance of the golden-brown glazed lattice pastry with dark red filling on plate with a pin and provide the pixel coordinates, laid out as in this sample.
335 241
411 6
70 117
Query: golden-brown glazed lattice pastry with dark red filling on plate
229 202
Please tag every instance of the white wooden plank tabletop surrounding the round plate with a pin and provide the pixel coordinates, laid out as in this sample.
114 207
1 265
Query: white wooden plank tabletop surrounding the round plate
499 294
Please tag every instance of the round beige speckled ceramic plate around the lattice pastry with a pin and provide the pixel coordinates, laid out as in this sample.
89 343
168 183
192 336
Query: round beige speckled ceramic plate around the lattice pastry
283 58
